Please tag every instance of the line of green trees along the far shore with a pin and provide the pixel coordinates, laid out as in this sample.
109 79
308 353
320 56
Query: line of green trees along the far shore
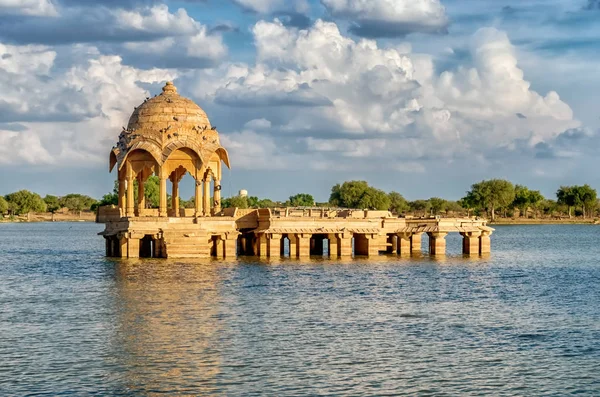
488 198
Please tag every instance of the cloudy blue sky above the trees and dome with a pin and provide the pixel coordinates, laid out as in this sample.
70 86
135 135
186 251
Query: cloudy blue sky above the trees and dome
424 97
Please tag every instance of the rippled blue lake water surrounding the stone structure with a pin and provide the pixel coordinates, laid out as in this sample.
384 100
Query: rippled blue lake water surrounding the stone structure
523 322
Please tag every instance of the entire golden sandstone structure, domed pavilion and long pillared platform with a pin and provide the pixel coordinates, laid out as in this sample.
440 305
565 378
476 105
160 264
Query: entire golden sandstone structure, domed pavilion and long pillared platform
169 136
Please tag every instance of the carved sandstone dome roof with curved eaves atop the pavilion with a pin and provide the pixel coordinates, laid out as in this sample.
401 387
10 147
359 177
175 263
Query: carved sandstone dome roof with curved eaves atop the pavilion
165 123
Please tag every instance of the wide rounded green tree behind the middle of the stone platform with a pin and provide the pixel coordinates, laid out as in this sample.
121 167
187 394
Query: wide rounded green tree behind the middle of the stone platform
358 194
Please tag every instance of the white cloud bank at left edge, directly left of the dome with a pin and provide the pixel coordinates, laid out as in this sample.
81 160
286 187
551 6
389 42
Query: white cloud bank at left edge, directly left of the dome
67 116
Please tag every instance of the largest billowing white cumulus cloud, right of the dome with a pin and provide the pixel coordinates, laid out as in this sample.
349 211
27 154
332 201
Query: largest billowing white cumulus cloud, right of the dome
364 102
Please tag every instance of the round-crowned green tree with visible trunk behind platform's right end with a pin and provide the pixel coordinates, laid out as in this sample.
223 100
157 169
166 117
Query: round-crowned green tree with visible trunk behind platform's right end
491 195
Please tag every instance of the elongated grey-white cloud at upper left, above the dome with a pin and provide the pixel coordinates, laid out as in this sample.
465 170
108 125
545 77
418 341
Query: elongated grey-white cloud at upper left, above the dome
147 36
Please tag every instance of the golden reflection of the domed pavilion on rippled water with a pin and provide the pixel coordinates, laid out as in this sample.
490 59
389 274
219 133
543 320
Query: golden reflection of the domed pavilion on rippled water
168 326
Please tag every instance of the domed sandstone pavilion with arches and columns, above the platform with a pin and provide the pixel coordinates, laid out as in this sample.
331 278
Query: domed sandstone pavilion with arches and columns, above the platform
169 136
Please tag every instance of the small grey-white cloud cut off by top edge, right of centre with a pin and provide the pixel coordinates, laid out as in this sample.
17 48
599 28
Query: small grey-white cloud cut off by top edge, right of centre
390 18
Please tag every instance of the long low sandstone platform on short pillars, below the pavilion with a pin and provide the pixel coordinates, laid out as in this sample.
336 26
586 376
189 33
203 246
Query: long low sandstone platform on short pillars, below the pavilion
289 231
